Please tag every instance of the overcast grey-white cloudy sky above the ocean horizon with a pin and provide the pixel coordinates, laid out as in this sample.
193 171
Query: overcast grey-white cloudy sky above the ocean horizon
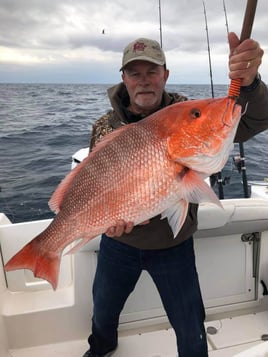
61 41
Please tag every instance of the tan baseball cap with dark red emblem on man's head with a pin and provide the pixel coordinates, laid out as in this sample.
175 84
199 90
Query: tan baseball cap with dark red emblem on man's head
143 49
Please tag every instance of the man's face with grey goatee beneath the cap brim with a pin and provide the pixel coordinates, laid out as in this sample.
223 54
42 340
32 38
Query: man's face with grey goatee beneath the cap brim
145 83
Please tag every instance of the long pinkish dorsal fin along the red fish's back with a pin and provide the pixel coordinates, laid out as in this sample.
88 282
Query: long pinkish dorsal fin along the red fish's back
58 196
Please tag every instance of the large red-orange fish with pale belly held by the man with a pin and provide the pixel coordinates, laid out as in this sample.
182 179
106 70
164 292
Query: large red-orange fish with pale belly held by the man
155 166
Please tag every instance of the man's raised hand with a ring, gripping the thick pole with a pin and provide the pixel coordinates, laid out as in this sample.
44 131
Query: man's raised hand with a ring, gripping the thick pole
244 59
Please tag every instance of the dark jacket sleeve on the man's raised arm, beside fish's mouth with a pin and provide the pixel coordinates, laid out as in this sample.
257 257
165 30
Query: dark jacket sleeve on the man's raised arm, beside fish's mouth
255 108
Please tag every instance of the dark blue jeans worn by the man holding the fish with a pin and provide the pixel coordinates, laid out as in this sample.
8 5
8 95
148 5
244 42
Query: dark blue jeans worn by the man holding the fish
174 274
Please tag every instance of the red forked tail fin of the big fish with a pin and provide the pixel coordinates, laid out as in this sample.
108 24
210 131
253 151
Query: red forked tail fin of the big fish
45 266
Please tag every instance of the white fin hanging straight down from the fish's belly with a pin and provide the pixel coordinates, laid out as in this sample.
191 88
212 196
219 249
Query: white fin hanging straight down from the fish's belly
176 215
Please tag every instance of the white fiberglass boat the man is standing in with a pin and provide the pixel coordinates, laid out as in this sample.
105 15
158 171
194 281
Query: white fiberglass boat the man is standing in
232 260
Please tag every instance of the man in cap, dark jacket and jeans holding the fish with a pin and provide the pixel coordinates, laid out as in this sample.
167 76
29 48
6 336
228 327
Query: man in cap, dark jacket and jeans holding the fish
126 250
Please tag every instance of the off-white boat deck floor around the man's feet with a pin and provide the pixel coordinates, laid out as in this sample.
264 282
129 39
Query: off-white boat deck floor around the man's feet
234 336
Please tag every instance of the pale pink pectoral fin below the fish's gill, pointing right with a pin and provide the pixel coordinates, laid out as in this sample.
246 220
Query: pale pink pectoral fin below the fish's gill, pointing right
196 190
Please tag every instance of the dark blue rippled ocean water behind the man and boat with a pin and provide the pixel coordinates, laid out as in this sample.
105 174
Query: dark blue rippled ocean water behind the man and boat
42 125
